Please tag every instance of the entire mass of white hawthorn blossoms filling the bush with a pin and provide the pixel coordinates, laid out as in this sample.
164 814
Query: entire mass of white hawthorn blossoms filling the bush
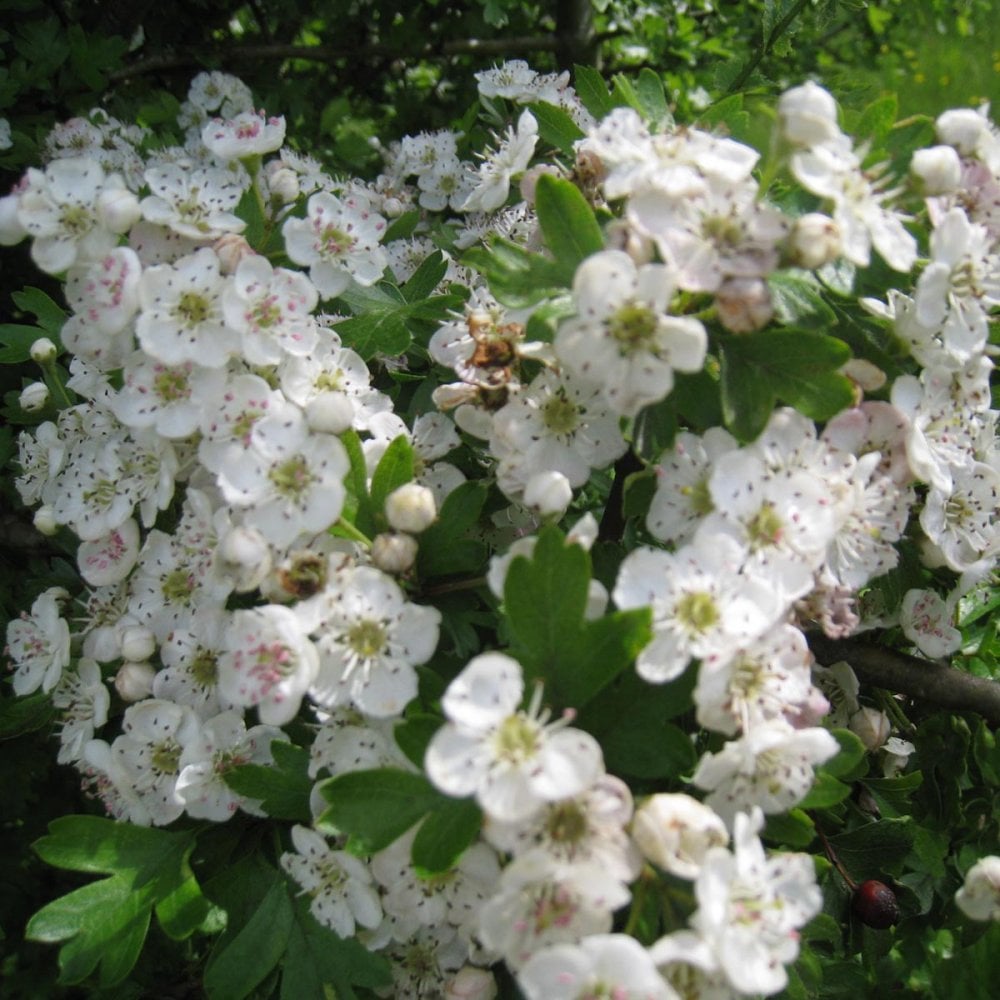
290 398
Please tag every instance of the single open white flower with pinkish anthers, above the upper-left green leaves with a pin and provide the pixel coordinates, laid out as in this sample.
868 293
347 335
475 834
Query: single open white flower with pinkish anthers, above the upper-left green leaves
338 241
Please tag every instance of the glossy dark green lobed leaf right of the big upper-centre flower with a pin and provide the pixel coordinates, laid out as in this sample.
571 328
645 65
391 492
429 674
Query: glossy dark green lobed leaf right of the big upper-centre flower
795 366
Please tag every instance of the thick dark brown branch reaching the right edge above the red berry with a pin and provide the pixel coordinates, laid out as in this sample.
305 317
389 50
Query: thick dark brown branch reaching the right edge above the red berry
923 680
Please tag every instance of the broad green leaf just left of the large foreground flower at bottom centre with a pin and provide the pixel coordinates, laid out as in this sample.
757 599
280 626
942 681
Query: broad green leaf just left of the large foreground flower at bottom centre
375 807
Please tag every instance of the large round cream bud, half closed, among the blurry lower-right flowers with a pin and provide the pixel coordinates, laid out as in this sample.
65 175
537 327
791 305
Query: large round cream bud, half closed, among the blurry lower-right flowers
676 831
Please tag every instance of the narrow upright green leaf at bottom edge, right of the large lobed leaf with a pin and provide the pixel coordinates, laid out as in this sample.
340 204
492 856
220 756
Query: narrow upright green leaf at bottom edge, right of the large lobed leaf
250 954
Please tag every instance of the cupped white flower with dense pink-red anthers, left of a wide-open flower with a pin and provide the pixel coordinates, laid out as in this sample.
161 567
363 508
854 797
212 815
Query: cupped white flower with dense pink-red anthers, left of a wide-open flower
268 662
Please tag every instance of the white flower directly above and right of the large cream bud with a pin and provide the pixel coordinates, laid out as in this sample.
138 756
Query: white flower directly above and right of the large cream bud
770 766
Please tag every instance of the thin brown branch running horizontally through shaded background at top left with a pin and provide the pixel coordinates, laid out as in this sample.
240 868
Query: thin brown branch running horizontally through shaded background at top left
331 53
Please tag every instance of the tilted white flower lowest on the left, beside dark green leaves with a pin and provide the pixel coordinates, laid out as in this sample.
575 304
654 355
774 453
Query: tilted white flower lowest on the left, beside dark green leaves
340 886
